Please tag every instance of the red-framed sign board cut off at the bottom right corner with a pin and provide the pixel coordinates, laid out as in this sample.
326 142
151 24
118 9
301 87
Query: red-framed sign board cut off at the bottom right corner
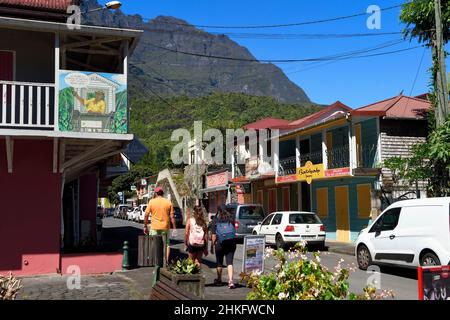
434 283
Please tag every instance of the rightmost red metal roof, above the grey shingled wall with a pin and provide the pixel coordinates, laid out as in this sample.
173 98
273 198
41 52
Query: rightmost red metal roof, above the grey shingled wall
401 106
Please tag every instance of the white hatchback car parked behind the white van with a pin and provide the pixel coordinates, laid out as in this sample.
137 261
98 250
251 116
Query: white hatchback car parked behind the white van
289 227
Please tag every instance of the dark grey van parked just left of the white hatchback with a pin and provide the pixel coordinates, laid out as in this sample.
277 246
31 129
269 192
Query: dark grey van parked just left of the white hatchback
246 217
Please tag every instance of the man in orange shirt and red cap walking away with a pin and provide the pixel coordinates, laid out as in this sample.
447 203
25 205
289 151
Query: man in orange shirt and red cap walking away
162 214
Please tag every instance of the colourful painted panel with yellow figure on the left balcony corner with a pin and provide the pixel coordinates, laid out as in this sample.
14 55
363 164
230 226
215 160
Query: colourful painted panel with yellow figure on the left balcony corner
92 102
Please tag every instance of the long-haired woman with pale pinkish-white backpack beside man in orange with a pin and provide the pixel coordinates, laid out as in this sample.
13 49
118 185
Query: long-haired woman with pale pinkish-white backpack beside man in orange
196 236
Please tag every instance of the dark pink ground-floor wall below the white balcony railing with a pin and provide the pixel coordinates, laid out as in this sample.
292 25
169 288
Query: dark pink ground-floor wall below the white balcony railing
30 200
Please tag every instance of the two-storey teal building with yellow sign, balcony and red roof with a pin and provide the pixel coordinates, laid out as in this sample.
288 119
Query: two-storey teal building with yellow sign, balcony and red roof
330 162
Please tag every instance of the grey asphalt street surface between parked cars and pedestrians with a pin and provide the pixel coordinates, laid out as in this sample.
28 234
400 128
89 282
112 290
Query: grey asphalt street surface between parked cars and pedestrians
402 281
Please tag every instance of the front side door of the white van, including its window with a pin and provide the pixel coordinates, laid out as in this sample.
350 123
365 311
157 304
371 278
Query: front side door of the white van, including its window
382 237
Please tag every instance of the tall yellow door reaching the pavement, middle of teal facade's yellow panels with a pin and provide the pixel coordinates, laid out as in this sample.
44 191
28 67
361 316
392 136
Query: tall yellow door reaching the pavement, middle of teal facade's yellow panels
342 214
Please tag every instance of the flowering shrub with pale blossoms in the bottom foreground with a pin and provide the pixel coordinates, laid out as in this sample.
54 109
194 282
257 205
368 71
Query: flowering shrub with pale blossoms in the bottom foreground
297 277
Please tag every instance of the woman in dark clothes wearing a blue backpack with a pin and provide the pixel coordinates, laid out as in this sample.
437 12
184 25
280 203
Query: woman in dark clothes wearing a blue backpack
223 242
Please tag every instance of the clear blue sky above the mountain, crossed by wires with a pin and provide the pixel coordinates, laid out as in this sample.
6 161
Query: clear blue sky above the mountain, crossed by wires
355 82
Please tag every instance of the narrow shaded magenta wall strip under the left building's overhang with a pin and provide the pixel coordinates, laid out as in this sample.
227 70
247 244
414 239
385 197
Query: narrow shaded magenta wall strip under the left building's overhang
88 201
